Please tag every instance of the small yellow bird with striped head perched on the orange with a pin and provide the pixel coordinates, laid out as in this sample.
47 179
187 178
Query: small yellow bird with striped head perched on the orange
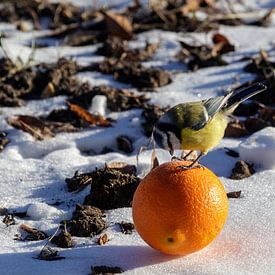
199 126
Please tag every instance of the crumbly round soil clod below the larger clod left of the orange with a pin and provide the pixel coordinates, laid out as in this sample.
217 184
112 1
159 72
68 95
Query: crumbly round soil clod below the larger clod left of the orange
87 221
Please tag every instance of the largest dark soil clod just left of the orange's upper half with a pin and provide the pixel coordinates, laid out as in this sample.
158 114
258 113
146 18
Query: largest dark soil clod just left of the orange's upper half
111 189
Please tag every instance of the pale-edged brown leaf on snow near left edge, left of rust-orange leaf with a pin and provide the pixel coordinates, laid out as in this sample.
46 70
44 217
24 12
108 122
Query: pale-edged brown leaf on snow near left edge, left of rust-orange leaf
34 126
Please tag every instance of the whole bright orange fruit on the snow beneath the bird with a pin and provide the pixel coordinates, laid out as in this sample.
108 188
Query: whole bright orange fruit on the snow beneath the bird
179 211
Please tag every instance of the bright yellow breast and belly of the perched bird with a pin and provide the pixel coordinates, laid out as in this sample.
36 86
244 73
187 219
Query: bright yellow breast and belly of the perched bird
206 138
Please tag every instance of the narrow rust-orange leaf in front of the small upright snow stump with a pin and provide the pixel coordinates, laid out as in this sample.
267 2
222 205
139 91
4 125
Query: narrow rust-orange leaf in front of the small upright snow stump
96 120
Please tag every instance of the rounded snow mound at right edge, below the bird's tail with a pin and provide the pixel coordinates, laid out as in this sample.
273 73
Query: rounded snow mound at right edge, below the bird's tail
259 148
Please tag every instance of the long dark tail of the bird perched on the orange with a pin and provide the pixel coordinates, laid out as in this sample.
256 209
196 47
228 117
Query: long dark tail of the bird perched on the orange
240 95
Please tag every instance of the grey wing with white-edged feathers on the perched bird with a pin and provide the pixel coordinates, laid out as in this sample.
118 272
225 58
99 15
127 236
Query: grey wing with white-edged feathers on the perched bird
211 107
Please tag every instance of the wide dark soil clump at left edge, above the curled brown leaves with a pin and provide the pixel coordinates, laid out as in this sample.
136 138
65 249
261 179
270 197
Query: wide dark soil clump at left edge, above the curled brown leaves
19 83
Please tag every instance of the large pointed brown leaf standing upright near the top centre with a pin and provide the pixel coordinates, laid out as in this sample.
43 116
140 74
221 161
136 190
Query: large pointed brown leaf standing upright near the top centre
118 25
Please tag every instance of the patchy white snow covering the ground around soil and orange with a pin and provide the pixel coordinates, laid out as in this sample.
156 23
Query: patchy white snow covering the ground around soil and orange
33 172
